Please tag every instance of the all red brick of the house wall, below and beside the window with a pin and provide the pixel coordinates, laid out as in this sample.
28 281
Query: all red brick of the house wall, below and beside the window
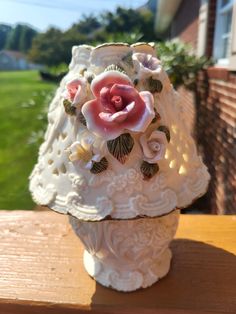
210 112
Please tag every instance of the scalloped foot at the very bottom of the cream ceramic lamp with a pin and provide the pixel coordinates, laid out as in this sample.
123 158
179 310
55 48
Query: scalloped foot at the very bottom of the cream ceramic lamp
124 279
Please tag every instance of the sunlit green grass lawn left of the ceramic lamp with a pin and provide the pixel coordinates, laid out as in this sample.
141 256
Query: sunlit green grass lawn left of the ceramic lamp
23 104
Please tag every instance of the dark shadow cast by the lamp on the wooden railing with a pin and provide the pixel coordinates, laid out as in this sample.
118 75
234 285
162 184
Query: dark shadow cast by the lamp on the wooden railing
202 278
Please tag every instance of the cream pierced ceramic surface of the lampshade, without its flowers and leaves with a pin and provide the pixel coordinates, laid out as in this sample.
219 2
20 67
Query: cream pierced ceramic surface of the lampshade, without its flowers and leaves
120 191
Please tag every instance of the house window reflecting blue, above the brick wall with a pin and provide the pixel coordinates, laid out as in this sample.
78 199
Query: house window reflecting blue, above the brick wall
223 31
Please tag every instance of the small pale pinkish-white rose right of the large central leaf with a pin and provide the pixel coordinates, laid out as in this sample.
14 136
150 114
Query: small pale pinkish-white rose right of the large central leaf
154 146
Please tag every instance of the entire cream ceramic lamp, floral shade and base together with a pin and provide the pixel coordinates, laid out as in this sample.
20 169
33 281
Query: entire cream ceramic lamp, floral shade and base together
119 159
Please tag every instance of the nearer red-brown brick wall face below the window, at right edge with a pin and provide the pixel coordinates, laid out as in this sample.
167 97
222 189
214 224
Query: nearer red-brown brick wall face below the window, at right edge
216 135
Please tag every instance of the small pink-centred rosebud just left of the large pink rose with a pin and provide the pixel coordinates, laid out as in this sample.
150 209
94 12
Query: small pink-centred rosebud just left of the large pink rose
76 91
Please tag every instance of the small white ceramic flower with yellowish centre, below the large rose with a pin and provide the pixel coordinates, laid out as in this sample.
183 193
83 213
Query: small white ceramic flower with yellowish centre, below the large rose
86 150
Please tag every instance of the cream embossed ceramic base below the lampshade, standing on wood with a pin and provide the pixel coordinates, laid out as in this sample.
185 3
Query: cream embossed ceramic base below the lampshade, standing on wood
127 254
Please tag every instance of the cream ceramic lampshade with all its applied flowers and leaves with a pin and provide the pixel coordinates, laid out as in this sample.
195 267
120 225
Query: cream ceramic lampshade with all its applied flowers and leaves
135 157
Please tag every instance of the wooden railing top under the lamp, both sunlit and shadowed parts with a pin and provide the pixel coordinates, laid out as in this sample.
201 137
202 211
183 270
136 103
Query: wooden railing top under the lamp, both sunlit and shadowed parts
42 271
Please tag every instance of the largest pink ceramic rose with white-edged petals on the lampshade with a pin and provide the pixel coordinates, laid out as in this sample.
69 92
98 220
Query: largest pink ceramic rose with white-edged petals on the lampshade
117 106
